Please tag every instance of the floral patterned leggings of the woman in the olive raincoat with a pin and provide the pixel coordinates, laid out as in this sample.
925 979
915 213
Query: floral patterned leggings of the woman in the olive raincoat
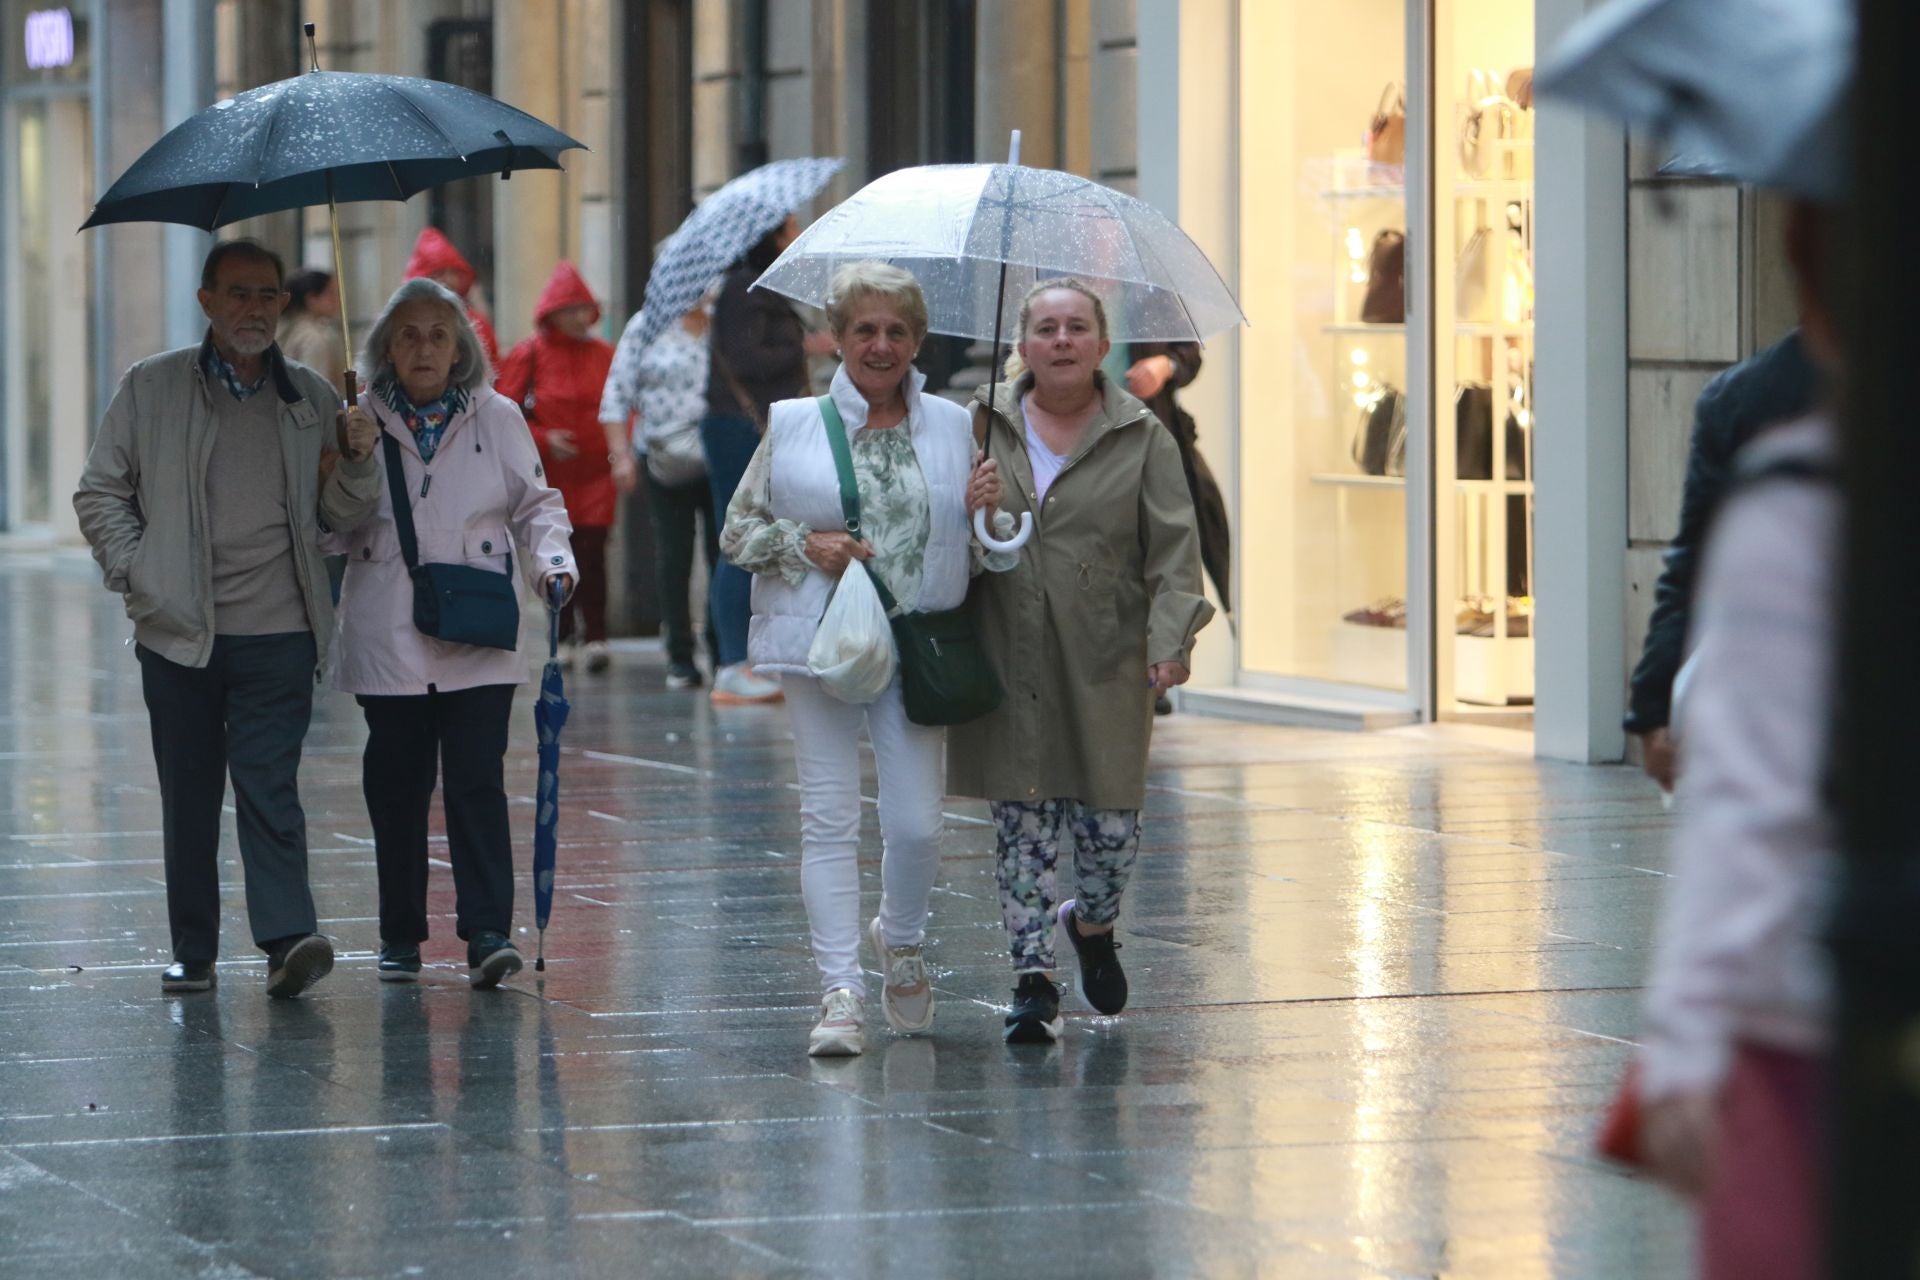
1105 845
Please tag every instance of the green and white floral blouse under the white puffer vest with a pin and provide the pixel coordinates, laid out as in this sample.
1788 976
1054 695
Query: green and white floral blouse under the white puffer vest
894 508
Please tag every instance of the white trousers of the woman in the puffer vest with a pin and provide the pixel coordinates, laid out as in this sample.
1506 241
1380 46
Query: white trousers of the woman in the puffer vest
913 784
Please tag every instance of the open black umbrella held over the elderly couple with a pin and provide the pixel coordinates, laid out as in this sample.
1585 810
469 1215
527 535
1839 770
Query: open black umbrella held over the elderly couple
325 137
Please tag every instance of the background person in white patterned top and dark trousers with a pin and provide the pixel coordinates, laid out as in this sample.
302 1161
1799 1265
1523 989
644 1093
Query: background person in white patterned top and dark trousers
665 385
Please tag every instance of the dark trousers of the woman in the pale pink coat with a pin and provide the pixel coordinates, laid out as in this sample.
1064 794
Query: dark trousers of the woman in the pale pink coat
410 744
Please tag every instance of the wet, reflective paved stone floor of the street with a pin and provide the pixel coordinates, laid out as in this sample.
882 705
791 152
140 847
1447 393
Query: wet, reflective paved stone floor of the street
1381 995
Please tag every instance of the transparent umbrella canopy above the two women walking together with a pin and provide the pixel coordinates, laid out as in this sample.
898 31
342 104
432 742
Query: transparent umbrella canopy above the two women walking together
953 227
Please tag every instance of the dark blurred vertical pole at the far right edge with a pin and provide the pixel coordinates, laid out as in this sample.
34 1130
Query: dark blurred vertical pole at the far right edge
1875 1093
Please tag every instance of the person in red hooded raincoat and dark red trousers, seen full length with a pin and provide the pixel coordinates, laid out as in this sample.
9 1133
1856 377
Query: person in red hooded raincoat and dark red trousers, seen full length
558 377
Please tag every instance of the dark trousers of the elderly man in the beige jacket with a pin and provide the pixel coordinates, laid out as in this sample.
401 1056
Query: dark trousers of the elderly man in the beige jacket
243 715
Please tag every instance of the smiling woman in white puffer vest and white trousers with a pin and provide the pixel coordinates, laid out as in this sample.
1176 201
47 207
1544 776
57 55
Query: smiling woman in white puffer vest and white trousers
921 483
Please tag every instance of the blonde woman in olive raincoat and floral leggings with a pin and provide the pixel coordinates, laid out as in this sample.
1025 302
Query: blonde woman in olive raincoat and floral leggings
1099 617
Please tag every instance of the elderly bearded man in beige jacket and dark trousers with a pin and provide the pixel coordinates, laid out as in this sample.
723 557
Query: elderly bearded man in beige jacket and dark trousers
204 504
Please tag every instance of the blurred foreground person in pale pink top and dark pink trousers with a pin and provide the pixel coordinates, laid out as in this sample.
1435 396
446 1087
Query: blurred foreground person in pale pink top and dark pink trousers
1739 1003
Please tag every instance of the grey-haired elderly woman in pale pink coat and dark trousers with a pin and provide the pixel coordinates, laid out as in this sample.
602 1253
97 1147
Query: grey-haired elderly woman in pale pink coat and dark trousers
477 496
